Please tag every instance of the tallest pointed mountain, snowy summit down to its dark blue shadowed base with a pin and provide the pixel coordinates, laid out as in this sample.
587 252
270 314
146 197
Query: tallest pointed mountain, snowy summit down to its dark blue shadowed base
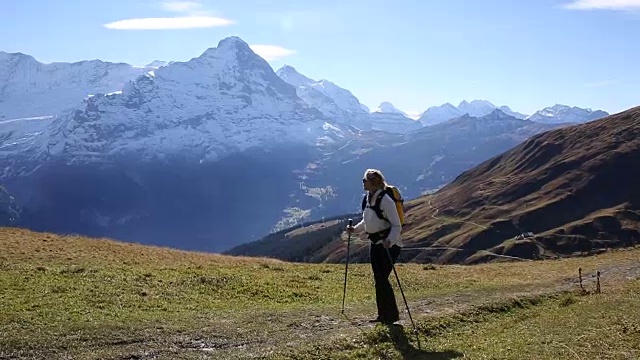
176 154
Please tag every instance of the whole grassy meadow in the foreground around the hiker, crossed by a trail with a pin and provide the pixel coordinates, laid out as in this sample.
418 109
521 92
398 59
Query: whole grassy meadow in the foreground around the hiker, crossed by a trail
89 298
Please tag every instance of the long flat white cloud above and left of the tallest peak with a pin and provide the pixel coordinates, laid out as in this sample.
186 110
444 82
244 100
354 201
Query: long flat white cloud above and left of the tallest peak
184 22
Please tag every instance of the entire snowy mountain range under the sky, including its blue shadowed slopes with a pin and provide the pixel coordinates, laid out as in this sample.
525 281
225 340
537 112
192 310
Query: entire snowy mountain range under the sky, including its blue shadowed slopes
218 150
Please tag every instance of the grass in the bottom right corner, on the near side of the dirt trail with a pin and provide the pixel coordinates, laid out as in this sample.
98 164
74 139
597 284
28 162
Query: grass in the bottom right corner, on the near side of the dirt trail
561 326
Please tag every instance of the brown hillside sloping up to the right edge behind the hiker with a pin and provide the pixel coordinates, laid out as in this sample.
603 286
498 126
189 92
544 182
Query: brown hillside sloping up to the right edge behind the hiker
575 188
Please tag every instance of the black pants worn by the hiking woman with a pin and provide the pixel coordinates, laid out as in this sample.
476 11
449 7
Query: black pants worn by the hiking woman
385 298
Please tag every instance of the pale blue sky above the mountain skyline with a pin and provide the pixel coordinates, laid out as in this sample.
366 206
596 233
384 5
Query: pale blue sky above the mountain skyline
527 54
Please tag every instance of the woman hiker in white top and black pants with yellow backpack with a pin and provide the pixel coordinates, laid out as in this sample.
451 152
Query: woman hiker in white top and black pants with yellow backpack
384 236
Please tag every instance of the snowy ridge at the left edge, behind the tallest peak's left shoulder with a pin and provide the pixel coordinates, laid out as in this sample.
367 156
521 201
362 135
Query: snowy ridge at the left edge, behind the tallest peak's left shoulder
29 88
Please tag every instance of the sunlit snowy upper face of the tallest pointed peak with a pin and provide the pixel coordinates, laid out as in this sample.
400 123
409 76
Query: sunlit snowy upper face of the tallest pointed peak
224 101
